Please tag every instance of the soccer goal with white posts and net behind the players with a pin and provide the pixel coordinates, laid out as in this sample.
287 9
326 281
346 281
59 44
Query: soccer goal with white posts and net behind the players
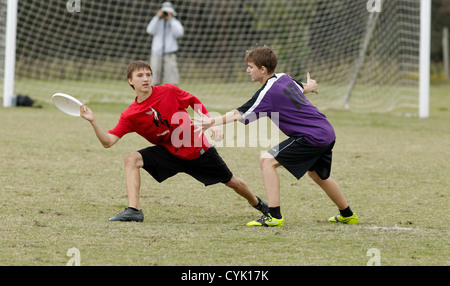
367 55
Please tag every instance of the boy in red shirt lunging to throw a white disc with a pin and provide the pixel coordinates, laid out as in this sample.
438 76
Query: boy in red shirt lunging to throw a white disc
159 115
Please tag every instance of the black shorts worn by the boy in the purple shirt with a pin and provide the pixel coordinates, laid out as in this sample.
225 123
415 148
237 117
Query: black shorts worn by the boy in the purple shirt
299 156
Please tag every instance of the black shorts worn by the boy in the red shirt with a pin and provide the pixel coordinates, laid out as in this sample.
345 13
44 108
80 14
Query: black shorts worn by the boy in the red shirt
209 168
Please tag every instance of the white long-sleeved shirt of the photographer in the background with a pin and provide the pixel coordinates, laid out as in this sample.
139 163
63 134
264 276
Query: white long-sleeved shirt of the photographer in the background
174 30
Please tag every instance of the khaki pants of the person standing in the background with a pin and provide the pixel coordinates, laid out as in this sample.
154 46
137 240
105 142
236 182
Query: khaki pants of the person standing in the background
170 71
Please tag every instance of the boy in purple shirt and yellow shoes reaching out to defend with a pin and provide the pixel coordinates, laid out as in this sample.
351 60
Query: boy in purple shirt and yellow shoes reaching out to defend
309 148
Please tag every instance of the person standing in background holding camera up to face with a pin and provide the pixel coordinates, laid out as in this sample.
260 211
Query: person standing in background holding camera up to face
166 29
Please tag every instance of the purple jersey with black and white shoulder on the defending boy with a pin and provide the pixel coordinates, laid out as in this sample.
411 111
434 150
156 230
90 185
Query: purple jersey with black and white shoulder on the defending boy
281 98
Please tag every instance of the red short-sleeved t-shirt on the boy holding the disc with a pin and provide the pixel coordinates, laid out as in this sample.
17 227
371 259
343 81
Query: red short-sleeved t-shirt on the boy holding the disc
162 119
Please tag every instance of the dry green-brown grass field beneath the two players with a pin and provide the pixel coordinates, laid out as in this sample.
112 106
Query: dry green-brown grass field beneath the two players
59 186
